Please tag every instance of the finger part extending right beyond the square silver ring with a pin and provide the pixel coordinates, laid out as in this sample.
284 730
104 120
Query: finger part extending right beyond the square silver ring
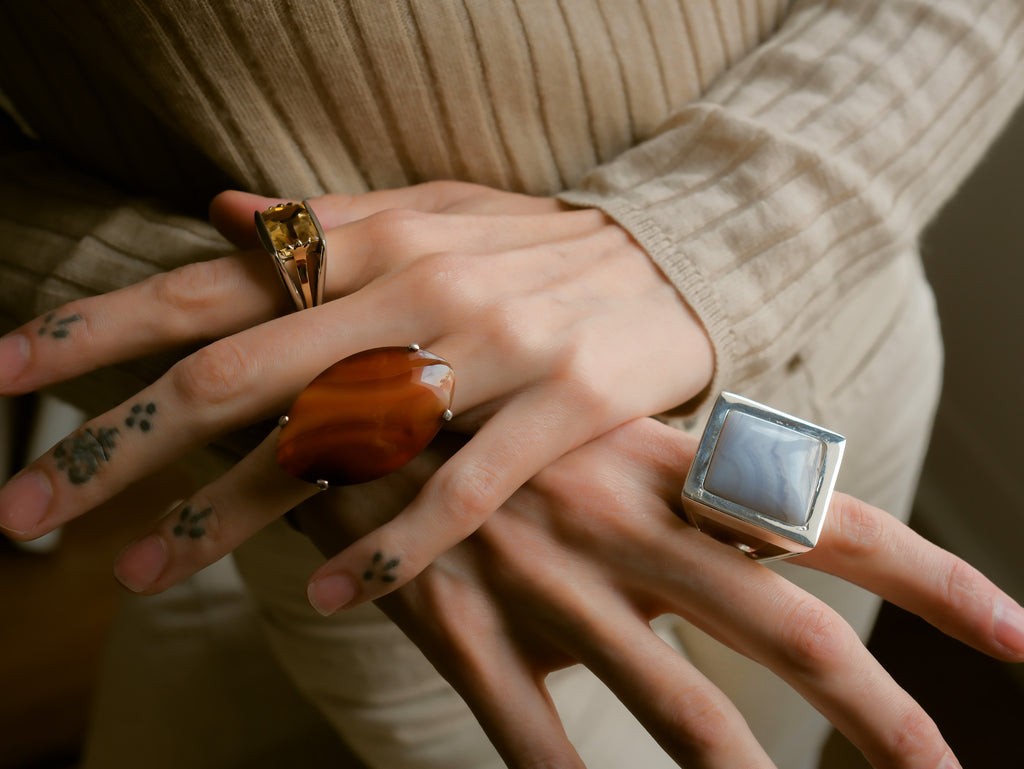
869 547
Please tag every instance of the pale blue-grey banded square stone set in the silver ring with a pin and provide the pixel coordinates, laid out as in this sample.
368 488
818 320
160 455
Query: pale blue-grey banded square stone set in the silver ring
765 467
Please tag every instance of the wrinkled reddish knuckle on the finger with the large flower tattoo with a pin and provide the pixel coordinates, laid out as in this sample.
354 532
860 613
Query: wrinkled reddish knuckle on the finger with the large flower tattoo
212 375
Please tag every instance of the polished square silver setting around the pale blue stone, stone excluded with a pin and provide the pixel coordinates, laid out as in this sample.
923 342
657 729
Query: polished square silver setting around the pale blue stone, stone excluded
753 530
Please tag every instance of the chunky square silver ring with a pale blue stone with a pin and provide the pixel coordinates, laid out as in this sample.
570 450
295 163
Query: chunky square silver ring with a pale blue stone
762 480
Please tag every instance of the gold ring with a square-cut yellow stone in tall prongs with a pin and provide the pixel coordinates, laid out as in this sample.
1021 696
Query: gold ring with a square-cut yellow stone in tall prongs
293 237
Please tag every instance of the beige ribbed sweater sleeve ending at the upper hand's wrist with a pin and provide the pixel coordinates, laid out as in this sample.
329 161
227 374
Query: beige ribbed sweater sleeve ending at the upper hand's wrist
813 162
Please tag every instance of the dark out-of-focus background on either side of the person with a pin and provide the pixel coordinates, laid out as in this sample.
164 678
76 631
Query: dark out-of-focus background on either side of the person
57 607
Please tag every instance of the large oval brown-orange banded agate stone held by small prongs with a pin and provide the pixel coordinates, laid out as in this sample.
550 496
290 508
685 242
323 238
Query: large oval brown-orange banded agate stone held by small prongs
366 416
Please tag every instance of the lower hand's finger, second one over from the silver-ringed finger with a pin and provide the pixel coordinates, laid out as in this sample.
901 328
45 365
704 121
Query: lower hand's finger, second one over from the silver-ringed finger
689 716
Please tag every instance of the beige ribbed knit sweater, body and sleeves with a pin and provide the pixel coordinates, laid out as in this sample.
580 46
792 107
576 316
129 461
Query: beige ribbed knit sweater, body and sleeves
771 156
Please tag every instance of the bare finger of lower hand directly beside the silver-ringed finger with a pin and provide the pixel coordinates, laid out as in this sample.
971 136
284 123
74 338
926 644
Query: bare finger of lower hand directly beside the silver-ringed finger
767 619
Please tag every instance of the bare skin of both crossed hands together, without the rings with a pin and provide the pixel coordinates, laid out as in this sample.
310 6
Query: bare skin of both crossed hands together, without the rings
602 489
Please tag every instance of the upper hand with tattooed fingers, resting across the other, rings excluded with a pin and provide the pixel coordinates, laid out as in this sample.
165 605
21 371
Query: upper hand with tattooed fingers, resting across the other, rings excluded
559 326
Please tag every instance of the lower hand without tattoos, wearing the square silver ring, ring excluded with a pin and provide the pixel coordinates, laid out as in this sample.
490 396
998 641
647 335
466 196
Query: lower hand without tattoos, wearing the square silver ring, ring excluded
577 563
